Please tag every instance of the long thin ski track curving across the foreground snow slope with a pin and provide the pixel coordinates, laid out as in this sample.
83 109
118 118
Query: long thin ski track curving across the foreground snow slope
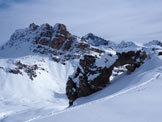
99 100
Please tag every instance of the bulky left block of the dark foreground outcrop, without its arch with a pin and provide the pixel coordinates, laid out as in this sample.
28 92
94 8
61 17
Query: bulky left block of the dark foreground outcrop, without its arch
85 86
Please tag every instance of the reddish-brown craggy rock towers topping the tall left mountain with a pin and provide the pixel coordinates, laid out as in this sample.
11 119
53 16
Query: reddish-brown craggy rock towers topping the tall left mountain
53 37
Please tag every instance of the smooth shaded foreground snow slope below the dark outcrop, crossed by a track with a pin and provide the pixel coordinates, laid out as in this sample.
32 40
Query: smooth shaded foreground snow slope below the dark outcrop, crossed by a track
134 98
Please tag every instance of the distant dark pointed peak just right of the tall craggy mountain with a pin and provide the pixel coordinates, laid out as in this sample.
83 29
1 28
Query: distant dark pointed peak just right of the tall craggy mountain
96 41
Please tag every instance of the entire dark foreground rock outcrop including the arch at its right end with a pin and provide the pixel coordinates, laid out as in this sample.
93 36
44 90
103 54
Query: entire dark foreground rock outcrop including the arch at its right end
90 78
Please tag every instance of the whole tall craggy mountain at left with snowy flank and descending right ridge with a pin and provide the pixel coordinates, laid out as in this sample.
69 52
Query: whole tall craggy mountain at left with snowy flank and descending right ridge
54 41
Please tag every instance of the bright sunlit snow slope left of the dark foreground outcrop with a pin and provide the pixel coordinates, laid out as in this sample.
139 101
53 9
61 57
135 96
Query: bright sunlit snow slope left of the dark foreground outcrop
22 96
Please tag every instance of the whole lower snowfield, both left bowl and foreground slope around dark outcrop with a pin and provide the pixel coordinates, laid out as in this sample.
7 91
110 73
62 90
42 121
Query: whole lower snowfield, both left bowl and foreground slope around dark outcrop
134 97
